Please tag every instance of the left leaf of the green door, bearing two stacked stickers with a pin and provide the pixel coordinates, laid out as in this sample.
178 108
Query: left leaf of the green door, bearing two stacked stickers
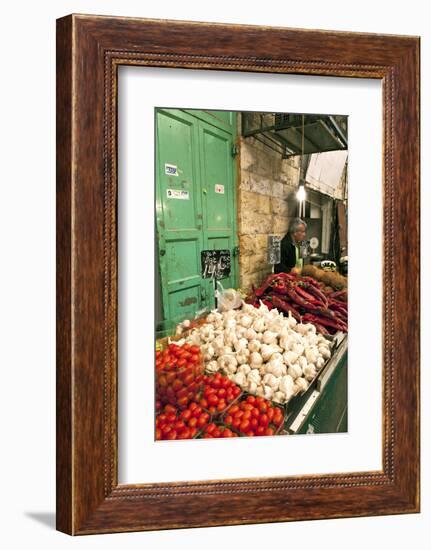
179 224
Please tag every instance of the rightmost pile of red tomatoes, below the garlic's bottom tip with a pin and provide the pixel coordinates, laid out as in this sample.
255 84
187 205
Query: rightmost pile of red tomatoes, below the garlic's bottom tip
254 416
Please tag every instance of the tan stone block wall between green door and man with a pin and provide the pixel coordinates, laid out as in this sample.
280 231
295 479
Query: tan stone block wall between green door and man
266 204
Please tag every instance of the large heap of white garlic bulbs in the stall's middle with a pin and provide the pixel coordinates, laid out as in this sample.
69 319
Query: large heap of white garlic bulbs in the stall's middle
262 351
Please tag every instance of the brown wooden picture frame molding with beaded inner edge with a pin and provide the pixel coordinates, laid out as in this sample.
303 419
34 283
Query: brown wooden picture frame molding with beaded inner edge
89 51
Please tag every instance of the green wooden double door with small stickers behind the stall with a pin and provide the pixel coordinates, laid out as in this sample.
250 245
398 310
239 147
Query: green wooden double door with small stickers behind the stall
195 205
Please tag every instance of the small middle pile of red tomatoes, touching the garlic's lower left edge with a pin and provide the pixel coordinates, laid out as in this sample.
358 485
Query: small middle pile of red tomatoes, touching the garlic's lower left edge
217 393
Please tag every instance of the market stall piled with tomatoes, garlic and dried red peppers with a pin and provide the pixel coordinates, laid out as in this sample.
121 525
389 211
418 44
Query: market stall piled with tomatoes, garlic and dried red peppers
255 367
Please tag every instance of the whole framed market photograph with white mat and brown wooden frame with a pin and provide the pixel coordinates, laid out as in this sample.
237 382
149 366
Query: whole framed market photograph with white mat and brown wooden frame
221 357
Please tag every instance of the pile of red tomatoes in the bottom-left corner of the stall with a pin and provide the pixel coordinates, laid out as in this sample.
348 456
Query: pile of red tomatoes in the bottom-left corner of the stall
172 423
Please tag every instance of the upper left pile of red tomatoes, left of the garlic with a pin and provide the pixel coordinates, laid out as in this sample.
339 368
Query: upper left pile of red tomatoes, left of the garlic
179 374
